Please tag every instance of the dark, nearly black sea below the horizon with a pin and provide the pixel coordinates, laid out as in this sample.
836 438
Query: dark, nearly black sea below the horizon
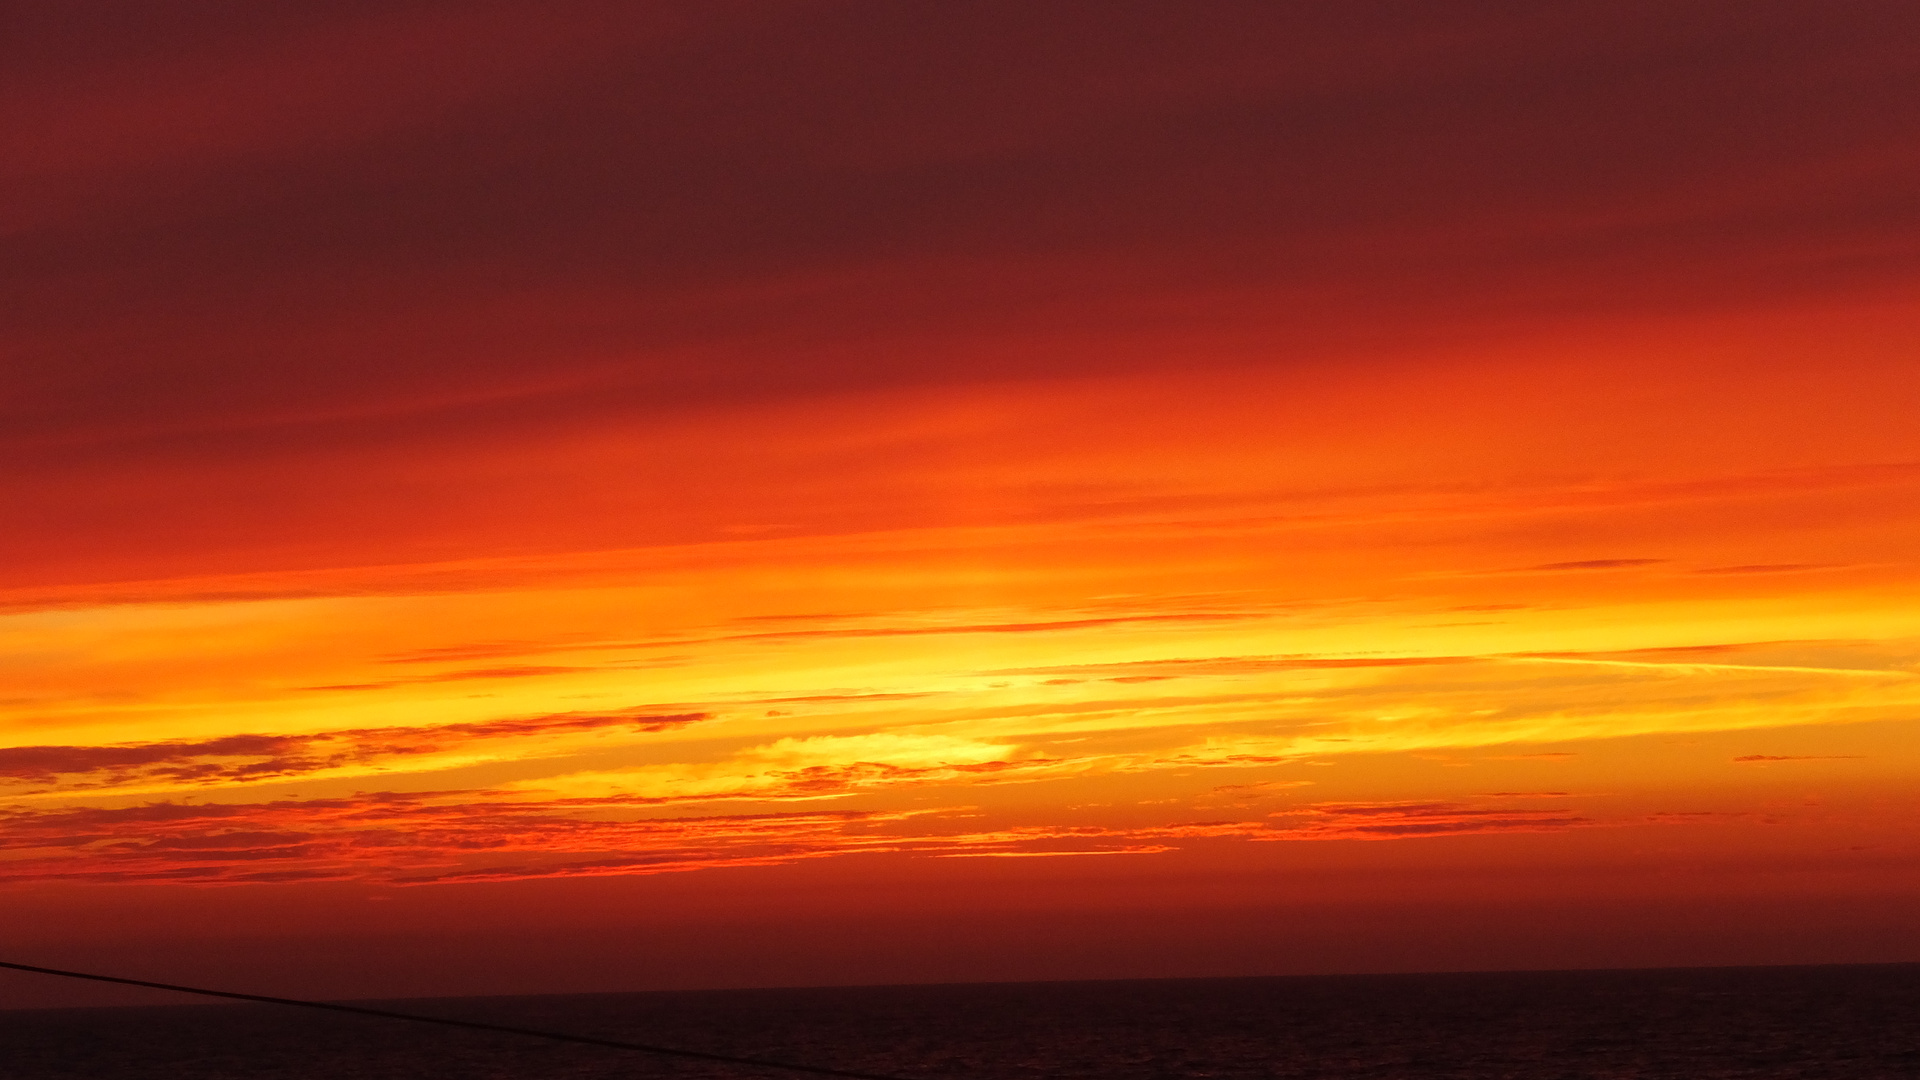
1714 1023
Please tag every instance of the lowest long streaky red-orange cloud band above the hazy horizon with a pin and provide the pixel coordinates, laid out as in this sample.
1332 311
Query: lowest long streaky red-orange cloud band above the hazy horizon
439 837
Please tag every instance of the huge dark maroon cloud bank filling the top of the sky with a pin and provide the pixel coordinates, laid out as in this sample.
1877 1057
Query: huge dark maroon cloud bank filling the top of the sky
245 241
